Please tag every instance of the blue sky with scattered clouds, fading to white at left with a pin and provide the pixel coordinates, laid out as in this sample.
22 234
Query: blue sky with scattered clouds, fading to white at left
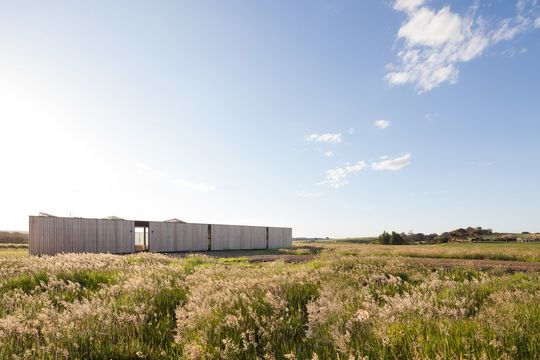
336 118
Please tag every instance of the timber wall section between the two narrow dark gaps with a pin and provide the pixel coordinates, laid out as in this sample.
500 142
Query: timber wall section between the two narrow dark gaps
238 237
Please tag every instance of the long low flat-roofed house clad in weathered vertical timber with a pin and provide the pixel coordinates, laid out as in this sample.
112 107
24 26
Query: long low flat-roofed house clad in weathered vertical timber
51 235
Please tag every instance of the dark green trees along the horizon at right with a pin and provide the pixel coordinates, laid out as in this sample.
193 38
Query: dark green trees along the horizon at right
461 234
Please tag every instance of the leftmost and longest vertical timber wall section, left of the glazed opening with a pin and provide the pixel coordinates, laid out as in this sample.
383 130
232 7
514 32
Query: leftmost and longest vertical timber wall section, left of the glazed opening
53 235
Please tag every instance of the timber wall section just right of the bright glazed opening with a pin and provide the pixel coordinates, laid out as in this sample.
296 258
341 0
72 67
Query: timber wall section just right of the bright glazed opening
171 237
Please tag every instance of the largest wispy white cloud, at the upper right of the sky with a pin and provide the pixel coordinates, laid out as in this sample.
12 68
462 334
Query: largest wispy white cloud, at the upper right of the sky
435 42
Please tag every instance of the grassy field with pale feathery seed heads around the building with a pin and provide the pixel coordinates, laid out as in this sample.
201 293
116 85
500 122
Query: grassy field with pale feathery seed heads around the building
318 300
